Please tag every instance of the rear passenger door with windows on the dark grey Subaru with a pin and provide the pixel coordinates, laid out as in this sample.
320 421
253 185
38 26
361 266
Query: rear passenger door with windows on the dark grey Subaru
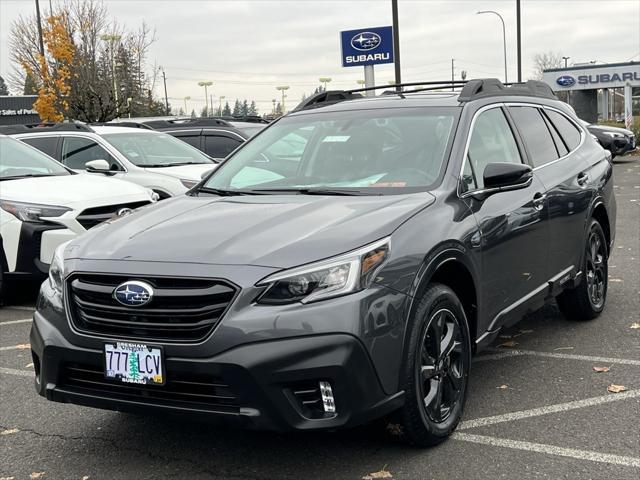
551 141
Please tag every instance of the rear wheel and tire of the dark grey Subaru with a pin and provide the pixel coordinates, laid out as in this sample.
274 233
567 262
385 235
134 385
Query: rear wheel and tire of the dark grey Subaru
586 301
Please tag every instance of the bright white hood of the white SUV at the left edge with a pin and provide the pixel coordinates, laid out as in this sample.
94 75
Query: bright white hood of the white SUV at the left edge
69 190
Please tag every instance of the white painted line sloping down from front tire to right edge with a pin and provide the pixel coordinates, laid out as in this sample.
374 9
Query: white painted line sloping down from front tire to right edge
548 449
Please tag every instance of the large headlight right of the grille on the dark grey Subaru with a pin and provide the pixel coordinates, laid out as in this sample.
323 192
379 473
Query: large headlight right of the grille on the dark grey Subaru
338 276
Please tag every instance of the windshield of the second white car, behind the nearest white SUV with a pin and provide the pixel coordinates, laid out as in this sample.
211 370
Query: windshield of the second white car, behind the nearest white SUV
146 149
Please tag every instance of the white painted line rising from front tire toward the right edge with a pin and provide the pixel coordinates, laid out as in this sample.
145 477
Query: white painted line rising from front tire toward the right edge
559 407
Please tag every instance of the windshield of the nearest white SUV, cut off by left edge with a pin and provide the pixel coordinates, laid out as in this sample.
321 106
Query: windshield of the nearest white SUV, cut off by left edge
18 160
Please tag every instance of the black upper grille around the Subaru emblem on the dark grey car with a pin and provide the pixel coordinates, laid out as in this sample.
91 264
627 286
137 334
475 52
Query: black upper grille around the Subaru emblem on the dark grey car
181 310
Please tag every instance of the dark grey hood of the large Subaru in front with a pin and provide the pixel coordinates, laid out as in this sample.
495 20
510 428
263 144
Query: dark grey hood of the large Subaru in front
278 231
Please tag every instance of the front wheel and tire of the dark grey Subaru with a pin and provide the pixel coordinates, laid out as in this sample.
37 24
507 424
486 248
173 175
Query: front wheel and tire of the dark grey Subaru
435 383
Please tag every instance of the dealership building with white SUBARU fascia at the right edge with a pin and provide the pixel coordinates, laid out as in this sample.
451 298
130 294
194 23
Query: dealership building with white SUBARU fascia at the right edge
599 92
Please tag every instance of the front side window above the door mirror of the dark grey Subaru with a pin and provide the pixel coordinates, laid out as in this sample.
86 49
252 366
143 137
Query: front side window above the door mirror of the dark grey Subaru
491 141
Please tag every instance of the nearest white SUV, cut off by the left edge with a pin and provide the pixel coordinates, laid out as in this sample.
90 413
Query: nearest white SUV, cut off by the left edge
43 204
